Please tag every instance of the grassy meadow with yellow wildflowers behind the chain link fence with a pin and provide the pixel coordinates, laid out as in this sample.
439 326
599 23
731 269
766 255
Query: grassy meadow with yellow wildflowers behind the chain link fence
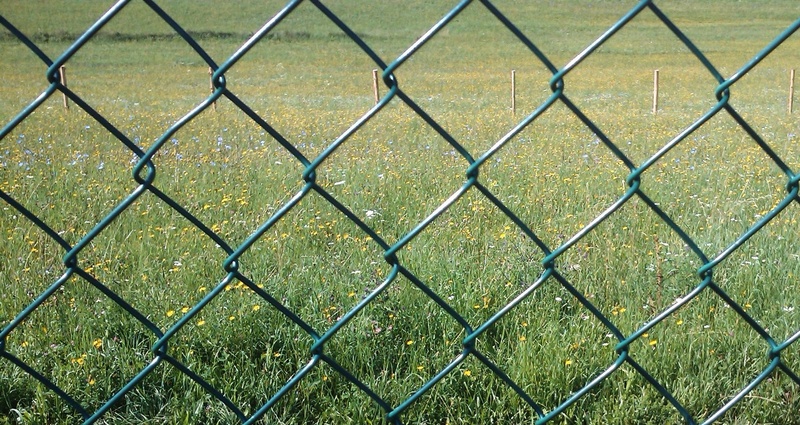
311 83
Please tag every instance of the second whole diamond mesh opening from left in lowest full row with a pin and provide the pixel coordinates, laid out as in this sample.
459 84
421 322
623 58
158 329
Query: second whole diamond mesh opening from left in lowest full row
241 346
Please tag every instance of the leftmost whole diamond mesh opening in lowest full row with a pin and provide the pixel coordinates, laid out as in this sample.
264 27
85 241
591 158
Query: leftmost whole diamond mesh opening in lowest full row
91 351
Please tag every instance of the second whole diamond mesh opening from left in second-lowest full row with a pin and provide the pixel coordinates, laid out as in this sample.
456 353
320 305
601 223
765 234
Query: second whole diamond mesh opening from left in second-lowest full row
316 262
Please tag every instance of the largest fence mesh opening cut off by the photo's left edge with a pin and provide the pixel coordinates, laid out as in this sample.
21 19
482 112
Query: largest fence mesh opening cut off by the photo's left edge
79 159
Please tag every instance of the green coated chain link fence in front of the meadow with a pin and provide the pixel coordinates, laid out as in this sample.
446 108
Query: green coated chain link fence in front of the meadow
636 188
